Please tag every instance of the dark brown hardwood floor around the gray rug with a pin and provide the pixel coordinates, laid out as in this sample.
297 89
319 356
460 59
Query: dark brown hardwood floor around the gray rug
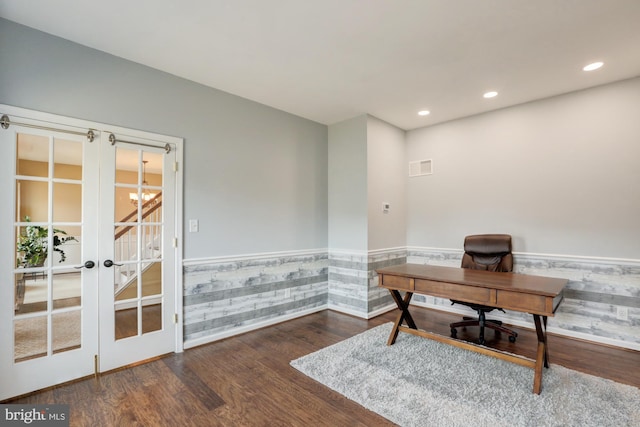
247 381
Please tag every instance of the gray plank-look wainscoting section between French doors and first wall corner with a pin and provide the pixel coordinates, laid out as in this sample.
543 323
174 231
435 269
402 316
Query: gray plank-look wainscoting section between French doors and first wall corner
229 296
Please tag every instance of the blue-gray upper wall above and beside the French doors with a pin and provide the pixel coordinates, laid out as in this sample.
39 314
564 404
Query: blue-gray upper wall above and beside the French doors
255 177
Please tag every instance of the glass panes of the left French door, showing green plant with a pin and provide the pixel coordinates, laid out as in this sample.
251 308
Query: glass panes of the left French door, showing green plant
48 231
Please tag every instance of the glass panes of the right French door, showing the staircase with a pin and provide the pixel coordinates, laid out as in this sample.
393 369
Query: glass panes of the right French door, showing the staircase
138 226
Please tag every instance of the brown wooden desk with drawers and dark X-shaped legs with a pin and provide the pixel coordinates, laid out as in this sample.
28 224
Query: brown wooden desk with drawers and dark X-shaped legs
537 295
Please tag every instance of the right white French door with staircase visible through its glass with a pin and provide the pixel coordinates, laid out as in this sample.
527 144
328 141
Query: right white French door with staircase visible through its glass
138 274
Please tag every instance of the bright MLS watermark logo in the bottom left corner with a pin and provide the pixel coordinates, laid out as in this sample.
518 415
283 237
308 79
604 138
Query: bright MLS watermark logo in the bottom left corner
36 415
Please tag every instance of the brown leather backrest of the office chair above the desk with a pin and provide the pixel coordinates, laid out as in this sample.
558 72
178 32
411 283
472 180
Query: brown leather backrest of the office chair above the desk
490 252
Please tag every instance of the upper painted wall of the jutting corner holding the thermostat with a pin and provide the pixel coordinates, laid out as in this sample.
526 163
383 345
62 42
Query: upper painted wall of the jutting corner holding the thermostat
366 169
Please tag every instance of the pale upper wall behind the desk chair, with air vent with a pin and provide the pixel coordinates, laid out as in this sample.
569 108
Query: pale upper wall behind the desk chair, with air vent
561 175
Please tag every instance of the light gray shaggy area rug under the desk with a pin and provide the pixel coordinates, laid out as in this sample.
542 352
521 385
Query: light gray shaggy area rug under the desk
421 382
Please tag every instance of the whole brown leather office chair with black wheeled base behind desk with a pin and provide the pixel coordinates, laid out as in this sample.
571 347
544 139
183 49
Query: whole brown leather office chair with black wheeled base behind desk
490 252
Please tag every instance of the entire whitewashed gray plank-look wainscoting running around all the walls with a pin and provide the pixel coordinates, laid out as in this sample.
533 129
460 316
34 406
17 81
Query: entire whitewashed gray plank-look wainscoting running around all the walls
228 296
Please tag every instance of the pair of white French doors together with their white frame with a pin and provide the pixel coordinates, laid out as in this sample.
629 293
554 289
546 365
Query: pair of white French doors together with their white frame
89 278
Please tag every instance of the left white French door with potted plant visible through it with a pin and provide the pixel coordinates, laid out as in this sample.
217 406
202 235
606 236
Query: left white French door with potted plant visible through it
50 317
